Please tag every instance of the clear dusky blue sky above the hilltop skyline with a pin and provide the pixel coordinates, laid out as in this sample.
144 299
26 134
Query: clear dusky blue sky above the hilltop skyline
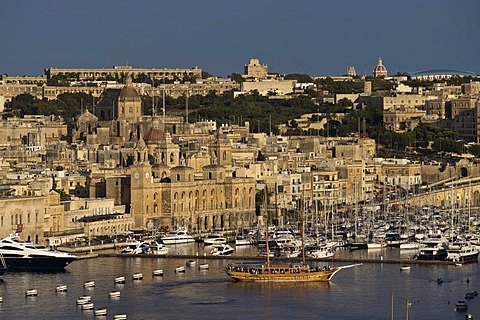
318 37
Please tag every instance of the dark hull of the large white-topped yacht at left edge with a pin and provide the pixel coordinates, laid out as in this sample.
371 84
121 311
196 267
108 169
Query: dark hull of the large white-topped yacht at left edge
38 263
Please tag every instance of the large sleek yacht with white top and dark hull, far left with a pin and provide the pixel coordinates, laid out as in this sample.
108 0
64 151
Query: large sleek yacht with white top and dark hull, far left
26 256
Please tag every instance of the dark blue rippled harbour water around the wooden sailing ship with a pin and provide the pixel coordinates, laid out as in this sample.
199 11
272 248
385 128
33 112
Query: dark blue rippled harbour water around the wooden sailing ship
362 292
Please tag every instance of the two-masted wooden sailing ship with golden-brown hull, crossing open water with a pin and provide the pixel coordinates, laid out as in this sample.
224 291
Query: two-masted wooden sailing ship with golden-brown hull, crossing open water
266 271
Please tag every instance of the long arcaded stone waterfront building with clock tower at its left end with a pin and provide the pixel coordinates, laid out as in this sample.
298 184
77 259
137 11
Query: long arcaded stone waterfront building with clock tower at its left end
180 198
